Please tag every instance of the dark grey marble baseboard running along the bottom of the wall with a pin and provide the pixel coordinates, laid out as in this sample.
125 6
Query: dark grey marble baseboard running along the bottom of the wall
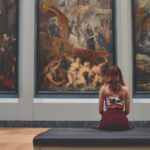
62 124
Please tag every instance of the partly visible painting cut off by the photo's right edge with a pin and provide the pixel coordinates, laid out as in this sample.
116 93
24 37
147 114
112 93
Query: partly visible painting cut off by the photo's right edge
141 37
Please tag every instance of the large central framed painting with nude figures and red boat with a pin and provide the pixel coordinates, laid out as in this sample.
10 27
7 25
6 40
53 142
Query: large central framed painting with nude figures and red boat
75 46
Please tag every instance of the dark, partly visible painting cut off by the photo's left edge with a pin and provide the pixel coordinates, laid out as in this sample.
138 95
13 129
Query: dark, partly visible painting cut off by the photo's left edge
8 46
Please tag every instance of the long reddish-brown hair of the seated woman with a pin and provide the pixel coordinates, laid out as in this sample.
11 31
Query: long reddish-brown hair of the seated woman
114 78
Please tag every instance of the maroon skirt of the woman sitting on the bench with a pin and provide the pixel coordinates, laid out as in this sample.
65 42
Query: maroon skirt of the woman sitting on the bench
113 119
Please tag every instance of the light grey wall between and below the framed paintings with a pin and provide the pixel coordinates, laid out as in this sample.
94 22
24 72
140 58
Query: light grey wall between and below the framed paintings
28 108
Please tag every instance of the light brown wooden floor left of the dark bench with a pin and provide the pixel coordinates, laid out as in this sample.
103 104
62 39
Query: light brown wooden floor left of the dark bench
18 138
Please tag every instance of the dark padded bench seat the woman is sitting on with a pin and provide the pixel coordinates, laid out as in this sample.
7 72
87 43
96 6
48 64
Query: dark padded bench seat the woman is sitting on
81 137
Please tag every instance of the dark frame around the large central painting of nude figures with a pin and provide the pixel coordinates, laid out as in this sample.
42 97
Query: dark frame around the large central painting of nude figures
51 94
